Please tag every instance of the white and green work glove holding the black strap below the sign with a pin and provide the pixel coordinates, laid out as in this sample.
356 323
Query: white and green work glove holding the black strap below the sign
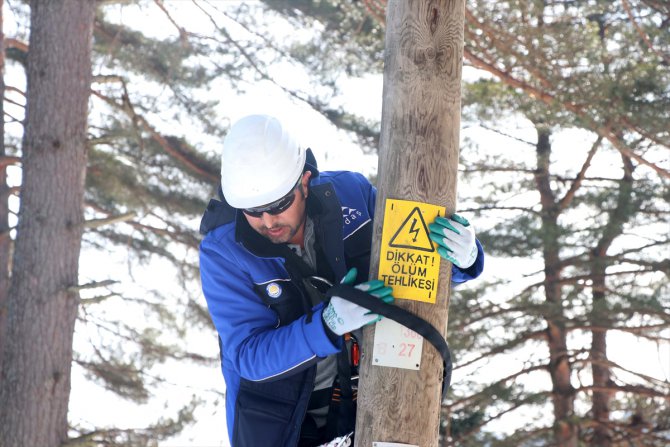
342 316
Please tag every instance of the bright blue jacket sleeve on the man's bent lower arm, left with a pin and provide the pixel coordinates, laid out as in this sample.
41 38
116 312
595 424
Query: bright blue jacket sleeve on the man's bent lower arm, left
251 341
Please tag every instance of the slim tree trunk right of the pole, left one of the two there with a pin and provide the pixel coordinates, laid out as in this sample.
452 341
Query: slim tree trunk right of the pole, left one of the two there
565 430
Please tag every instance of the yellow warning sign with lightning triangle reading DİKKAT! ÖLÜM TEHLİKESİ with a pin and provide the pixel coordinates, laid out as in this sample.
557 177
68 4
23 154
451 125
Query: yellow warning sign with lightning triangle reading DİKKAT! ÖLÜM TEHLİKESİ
408 261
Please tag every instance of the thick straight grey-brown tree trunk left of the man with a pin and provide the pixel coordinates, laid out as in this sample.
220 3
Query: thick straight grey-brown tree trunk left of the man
43 301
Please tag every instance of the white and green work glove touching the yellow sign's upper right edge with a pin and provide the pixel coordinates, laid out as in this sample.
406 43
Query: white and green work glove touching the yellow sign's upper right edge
455 239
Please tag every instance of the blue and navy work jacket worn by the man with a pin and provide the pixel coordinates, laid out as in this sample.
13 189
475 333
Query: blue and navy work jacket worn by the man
271 334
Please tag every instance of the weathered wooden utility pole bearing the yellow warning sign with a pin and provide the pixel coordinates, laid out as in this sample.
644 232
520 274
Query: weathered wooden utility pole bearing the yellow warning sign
418 159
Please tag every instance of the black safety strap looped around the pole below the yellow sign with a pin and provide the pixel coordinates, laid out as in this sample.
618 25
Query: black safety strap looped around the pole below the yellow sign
407 319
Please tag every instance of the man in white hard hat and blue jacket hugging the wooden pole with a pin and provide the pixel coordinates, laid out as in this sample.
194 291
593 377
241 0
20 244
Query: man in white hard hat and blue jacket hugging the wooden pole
279 236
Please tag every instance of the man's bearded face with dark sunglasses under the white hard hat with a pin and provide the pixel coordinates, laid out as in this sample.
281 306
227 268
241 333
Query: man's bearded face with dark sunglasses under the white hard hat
287 226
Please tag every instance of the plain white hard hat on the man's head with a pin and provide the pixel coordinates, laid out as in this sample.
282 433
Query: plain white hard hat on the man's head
261 162
